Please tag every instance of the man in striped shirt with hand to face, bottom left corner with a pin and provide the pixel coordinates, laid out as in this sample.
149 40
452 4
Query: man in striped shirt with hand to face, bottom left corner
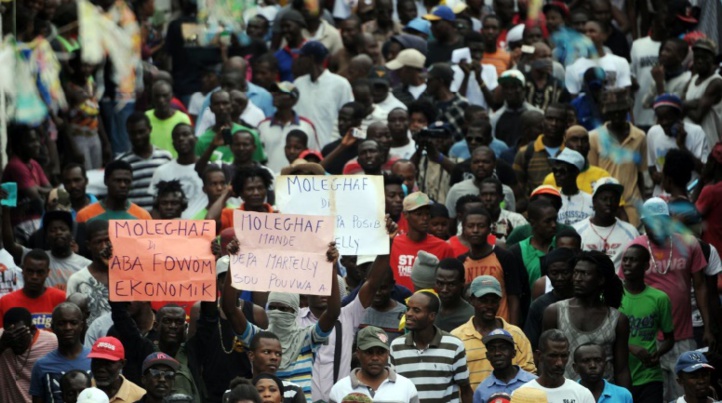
20 342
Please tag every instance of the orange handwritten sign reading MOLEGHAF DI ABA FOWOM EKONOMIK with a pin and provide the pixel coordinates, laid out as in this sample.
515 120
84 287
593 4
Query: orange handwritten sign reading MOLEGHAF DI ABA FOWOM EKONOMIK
162 260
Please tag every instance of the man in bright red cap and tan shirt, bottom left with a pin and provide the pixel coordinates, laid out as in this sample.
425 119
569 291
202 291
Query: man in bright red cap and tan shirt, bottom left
107 360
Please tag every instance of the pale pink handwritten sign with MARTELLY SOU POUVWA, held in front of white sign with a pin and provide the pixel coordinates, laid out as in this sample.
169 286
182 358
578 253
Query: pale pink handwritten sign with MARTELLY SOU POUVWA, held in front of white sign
282 252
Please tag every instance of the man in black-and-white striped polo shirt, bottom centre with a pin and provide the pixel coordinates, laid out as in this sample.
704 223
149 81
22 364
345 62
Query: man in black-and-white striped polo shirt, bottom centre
434 360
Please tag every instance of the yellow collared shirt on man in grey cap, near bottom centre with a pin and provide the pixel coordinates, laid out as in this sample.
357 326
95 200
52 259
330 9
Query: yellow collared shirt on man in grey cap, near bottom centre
479 365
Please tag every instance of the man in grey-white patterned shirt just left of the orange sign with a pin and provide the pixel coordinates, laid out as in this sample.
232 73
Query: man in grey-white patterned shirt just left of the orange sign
92 280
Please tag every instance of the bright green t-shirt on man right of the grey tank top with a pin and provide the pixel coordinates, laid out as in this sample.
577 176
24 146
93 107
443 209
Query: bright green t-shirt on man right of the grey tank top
649 312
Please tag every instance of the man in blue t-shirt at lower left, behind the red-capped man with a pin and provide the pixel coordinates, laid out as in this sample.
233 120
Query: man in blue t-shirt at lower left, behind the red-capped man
68 325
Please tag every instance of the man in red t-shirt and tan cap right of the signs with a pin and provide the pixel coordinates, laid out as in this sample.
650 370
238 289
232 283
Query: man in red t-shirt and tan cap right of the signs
405 247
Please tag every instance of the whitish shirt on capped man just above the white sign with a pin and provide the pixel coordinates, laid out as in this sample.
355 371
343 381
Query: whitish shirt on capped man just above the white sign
273 137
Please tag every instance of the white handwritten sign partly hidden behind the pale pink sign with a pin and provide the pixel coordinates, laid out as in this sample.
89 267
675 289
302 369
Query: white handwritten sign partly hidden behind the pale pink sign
355 201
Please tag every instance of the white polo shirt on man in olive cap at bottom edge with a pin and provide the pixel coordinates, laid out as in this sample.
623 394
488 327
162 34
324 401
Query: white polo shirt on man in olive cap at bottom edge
394 389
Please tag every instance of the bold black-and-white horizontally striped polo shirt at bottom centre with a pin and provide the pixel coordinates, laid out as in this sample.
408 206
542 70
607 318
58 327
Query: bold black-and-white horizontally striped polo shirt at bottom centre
437 371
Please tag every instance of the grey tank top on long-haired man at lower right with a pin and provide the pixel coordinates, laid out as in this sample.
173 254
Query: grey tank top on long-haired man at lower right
604 336
